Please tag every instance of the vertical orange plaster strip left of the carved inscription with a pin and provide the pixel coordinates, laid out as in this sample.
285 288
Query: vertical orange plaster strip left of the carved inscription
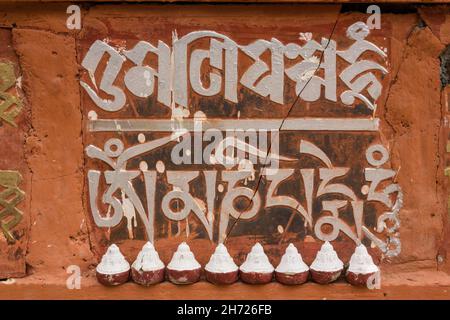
58 236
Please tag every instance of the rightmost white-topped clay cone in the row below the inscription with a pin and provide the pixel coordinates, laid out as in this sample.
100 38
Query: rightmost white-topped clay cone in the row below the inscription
361 267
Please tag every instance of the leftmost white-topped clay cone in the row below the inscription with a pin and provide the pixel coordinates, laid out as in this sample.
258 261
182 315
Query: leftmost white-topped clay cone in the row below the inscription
113 269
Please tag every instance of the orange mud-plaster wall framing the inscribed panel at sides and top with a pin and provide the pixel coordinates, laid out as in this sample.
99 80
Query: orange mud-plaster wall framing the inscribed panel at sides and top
57 236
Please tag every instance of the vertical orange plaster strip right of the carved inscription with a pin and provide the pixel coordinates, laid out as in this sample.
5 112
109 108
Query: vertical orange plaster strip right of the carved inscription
413 110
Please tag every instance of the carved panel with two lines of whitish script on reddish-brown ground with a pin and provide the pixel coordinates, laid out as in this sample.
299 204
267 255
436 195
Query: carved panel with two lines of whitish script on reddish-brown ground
214 137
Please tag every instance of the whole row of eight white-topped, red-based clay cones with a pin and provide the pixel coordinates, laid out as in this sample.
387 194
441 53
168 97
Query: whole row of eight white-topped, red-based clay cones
148 268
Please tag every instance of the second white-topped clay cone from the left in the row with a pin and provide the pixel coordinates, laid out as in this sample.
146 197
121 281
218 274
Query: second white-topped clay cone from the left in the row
148 268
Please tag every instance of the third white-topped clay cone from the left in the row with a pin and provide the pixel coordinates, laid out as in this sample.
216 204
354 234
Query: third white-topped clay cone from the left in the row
183 268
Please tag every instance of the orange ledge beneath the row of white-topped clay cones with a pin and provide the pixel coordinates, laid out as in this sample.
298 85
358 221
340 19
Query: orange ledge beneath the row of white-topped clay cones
433 285
